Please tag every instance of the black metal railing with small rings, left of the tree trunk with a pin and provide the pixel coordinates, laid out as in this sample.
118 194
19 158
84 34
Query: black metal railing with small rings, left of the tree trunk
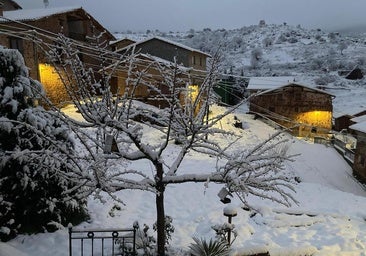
102 242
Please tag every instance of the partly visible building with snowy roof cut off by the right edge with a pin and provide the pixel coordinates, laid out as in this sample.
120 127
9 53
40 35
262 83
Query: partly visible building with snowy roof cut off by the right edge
359 164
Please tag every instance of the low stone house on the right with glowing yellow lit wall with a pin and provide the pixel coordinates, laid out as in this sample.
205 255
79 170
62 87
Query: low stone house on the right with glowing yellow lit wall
305 111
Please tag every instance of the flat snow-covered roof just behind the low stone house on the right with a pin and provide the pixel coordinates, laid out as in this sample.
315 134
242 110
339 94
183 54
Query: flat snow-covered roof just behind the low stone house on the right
271 82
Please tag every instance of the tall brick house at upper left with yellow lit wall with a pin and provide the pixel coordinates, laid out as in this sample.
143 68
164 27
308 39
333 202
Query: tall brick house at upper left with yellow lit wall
16 26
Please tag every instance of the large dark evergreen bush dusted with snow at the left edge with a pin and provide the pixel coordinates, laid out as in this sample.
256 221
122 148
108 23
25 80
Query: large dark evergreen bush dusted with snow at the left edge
33 193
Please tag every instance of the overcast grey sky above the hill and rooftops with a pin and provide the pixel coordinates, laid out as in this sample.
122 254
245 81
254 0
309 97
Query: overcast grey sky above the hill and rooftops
182 15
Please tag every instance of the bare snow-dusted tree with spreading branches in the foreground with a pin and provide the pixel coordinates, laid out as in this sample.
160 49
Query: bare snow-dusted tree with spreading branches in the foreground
118 119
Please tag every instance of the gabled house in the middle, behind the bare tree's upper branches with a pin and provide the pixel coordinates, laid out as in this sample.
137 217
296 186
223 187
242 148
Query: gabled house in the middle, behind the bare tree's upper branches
170 54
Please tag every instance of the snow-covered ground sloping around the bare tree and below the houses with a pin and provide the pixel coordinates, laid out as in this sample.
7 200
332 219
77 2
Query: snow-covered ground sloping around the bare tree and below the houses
329 219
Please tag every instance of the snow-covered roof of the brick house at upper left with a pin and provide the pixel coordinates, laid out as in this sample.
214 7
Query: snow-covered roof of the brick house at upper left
35 14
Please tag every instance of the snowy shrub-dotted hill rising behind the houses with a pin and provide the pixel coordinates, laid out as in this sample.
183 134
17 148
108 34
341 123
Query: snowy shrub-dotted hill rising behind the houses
279 50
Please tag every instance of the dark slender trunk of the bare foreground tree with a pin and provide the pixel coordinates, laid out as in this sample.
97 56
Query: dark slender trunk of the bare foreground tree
160 212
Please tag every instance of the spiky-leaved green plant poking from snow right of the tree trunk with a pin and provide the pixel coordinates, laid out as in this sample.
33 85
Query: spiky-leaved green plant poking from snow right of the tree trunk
212 248
